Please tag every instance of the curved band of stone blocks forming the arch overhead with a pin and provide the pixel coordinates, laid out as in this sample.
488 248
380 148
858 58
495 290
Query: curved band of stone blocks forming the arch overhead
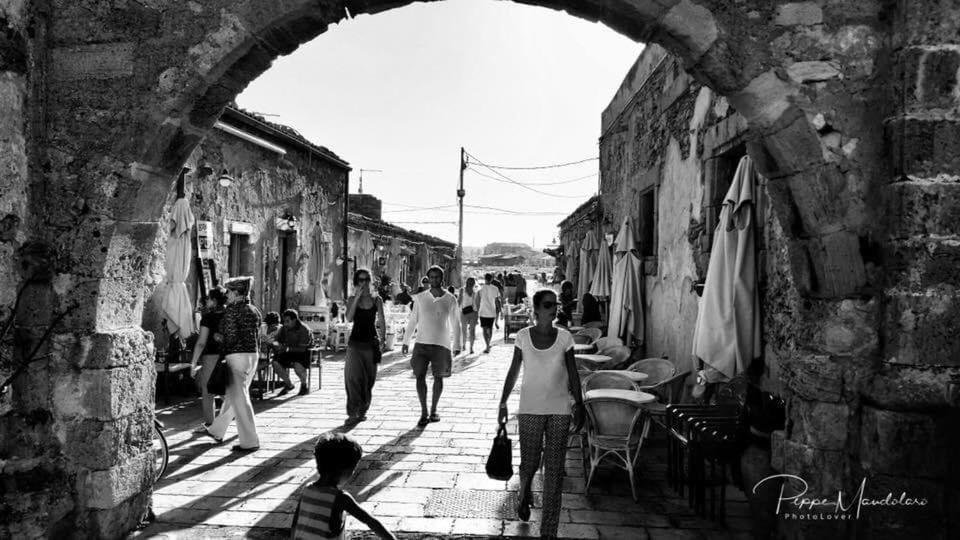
239 45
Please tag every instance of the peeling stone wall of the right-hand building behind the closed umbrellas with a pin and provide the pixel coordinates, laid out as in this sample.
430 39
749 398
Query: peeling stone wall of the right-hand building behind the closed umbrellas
655 138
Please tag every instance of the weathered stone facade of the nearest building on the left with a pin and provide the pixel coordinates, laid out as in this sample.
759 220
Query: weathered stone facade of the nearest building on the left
282 205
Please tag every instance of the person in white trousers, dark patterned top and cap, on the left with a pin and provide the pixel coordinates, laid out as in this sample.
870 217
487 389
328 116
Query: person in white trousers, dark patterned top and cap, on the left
238 334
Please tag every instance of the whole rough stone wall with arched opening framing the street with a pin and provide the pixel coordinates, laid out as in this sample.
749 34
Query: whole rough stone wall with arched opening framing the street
851 108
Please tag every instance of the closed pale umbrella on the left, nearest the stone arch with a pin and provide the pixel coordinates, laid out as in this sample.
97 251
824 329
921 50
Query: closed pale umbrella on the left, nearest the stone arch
176 304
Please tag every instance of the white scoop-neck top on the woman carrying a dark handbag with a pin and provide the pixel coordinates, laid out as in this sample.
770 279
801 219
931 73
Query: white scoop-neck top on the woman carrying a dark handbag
545 388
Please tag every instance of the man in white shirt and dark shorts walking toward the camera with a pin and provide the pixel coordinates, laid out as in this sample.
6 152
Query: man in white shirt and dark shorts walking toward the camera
436 318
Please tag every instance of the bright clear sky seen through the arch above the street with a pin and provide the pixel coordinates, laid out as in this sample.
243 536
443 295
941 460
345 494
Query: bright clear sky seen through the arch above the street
403 90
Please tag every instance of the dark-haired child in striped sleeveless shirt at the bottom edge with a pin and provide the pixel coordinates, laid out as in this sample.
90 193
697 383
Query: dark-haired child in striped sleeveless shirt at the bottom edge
320 512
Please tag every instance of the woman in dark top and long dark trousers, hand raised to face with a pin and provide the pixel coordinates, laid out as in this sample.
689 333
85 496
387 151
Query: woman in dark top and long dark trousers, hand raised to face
365 311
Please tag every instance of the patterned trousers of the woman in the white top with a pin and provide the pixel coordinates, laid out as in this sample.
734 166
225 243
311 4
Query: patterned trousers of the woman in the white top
534 430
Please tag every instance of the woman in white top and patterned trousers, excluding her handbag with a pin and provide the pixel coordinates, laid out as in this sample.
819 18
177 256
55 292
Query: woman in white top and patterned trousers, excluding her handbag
550 378
